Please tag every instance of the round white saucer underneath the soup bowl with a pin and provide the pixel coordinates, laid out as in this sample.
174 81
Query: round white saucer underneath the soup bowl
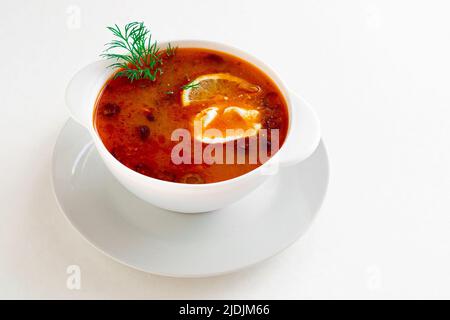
183 245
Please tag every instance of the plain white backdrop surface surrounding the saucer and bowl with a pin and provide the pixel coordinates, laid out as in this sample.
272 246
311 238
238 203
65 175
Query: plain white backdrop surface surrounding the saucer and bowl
378 74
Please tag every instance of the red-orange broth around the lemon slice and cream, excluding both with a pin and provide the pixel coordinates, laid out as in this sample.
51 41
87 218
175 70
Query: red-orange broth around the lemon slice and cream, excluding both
135 120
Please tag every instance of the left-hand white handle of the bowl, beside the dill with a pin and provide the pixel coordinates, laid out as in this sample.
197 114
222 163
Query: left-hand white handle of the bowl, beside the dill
83 89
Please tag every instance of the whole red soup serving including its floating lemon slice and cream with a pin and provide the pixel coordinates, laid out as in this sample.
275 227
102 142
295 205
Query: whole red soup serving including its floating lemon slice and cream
136 120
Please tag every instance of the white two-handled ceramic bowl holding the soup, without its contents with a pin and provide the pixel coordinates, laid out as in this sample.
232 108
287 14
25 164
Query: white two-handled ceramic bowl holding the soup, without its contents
302 139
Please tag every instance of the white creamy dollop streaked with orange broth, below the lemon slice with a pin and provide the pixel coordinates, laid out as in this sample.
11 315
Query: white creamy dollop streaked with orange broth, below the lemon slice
243 122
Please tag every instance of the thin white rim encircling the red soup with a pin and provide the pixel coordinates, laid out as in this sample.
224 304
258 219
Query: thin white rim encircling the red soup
227 49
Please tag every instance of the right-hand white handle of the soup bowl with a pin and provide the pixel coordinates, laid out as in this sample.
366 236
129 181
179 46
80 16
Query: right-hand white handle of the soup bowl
304 135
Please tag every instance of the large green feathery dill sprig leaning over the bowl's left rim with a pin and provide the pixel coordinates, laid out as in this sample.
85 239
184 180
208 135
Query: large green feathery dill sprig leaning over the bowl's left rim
140 56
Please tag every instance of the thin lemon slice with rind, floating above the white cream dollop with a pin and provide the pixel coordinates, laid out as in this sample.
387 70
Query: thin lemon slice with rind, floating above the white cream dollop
214 87
